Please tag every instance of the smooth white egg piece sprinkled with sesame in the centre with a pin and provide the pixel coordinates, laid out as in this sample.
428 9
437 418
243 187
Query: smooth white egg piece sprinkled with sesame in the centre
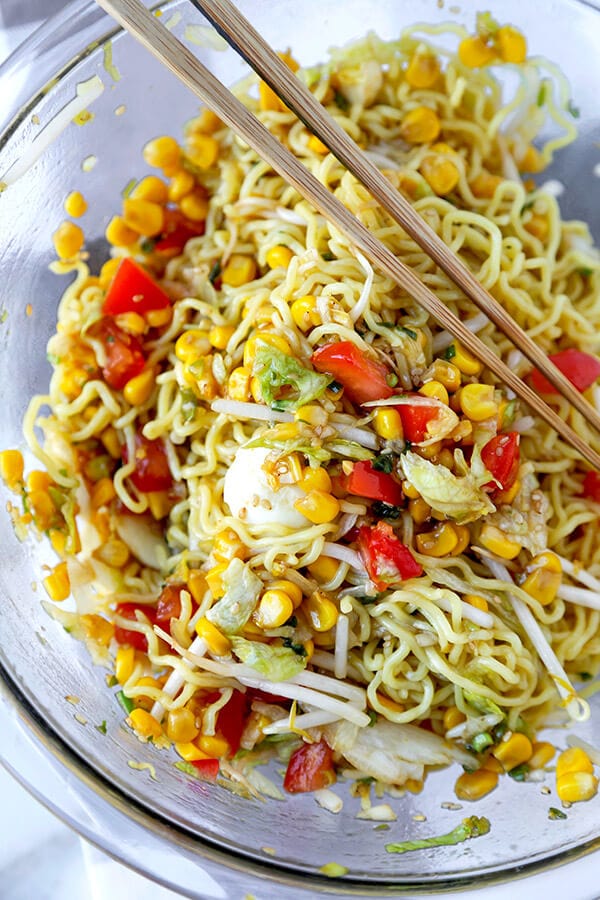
250 497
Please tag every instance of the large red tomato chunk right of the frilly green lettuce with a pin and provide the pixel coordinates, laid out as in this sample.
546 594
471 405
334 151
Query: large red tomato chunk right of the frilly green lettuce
362 377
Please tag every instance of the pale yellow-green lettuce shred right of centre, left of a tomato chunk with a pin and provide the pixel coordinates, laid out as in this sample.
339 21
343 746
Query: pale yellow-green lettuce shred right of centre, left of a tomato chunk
458 497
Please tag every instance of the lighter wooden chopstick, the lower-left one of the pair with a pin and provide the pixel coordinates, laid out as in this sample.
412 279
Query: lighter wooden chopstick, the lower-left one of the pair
147 29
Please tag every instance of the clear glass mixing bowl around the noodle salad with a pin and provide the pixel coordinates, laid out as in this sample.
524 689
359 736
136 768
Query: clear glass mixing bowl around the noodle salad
281 844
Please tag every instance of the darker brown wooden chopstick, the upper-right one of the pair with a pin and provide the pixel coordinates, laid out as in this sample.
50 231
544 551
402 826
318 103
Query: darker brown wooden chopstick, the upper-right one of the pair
241 35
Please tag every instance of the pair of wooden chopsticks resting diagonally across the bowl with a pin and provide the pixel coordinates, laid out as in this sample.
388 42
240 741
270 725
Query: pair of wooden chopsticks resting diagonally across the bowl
240 34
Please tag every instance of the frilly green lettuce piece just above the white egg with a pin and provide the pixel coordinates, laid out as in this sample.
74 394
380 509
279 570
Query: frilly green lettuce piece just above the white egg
276 370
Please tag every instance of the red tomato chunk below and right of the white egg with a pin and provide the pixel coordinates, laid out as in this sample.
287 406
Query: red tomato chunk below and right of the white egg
386 558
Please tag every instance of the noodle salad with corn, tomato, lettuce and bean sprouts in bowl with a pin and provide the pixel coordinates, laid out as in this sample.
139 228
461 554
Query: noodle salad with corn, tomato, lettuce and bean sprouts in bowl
294 515
